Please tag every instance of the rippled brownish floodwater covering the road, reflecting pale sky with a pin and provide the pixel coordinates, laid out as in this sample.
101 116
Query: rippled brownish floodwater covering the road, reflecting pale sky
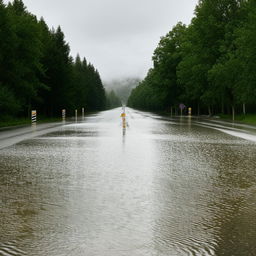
161 187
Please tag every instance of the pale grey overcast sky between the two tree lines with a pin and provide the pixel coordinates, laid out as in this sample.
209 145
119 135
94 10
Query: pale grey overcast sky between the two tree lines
117 36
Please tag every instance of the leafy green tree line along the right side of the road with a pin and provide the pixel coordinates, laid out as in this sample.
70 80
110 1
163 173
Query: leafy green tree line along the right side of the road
208 65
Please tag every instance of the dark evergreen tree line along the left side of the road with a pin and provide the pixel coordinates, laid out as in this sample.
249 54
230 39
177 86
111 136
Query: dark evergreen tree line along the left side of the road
37 71
